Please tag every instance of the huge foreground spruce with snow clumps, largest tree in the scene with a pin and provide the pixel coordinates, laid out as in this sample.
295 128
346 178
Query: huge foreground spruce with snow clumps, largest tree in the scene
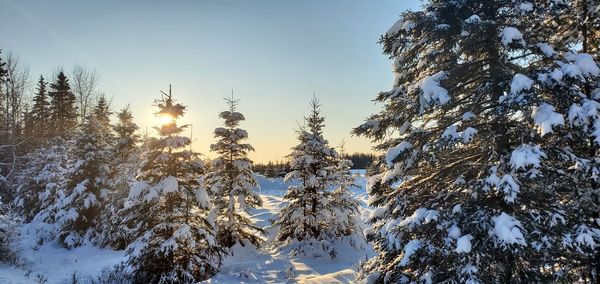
477 183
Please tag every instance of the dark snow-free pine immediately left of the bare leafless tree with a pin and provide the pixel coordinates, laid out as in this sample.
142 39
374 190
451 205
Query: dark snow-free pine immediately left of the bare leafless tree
63 112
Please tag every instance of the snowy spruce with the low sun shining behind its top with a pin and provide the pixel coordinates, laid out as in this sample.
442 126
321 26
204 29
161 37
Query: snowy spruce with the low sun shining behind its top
167 210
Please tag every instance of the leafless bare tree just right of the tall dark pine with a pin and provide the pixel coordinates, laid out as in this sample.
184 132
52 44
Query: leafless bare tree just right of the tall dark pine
84 82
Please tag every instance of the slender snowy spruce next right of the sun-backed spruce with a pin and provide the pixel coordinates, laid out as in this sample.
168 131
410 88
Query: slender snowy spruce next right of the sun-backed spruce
232 182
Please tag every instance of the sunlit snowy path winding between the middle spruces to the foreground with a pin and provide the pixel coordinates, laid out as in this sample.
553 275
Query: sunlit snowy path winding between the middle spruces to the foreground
267 265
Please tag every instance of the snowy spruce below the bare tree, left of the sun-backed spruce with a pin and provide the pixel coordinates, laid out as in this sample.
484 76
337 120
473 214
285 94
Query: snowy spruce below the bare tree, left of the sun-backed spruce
87 187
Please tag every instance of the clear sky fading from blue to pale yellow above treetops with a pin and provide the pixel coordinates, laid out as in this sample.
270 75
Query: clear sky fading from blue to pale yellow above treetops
273 54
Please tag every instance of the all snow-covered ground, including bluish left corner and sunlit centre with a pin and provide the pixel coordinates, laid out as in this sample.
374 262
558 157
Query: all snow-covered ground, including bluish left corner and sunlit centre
54 264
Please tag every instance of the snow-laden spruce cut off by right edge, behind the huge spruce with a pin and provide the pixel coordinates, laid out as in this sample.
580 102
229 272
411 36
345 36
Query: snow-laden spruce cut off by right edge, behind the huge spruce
569 81
